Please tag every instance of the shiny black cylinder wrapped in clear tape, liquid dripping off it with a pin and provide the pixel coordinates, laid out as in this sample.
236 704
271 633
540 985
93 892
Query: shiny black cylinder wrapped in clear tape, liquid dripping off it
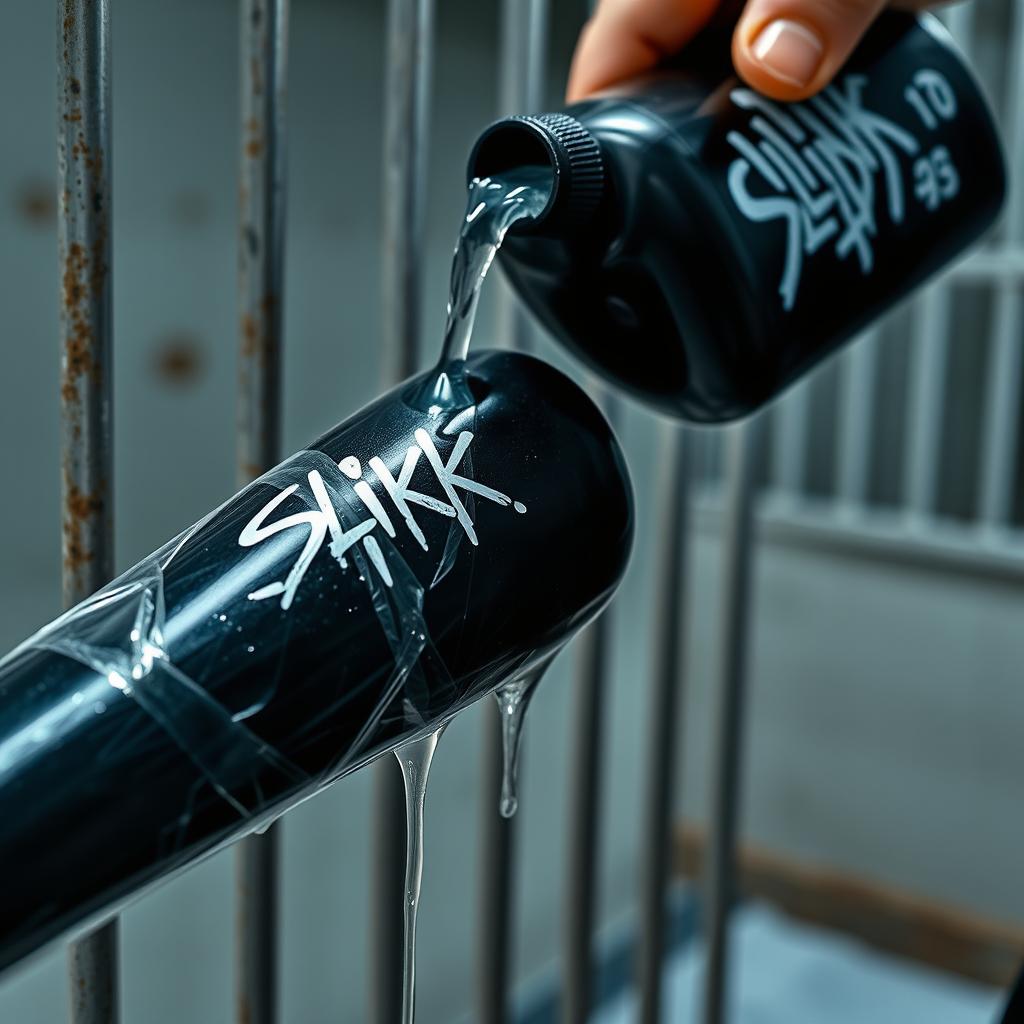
136 738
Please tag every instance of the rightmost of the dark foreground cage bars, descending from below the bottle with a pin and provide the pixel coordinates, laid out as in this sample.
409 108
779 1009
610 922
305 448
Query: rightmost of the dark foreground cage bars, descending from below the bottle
744 443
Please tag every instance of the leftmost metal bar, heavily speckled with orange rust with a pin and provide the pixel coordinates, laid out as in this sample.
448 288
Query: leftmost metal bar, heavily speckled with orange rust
84 156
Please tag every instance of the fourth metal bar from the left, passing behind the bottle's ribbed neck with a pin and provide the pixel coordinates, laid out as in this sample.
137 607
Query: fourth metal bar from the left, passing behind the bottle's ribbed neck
524 48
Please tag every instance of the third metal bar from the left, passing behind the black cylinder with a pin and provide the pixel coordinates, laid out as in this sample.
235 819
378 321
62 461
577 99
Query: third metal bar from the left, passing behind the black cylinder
410 51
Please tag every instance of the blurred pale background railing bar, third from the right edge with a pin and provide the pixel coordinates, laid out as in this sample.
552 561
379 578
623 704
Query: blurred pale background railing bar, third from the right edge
857 395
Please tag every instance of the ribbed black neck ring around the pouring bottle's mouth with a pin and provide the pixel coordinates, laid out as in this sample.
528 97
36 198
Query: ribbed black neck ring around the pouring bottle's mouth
559 141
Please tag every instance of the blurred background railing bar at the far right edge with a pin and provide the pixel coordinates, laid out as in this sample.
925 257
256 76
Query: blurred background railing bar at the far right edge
1003 386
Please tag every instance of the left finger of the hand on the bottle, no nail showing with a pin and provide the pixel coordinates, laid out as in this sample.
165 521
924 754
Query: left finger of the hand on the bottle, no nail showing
628 37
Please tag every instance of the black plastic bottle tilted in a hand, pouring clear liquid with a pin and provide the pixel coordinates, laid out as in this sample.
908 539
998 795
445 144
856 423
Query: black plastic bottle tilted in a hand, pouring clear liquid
705 247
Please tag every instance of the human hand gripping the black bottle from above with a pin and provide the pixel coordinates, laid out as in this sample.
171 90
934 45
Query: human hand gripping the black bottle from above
788 50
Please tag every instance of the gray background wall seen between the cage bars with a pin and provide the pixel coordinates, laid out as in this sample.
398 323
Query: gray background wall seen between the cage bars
887 708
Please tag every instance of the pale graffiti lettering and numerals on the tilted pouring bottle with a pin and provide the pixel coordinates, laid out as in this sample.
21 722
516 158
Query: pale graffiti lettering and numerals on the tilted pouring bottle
818 166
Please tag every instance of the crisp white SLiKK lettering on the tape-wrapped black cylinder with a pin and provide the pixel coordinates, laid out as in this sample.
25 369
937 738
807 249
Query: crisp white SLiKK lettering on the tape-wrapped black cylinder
327 521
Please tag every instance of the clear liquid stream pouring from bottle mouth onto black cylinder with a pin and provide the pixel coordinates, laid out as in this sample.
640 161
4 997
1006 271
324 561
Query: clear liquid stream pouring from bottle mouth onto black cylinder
493 208
